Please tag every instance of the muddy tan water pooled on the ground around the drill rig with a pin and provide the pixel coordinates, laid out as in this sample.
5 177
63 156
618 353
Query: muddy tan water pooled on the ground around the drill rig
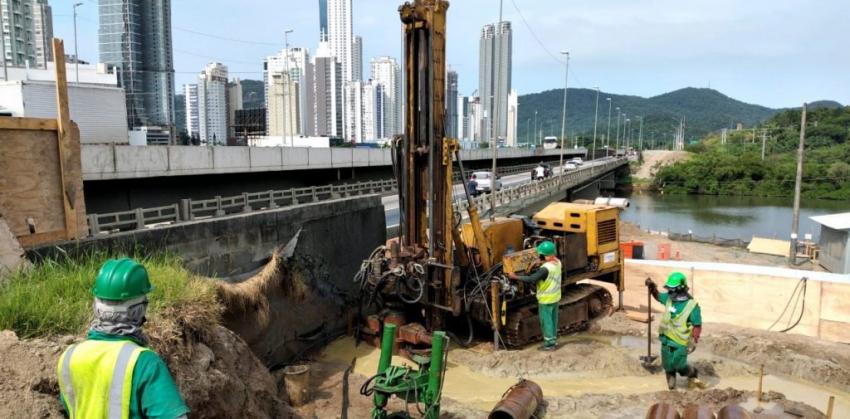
481 390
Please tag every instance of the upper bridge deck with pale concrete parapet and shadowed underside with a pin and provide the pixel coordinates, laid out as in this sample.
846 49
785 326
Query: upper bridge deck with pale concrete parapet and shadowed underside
121 177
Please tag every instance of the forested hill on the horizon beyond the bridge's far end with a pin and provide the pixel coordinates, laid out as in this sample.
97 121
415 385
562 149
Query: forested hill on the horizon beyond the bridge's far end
704 110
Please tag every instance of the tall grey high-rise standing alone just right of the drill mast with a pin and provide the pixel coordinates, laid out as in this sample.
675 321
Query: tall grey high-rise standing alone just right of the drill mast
494 79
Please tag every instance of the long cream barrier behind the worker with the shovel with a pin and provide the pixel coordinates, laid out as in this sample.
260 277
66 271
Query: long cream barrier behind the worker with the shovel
753 296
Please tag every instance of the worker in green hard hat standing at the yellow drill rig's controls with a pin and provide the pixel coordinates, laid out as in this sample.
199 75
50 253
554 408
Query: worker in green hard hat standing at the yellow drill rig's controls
548 280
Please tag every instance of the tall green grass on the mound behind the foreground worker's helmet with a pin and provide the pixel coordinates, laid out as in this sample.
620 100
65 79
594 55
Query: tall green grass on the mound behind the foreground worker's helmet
54 297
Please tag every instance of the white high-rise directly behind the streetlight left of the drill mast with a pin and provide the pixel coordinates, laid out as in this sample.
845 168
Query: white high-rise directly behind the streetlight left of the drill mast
296 63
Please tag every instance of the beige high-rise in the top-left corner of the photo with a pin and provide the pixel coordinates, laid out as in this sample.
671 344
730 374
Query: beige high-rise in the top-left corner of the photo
27 29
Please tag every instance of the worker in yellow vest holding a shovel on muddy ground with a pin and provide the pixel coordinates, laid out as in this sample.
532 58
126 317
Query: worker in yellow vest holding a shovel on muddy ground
680 328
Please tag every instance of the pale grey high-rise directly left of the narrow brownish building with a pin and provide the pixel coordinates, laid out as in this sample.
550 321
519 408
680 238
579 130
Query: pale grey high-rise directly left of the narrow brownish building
212 104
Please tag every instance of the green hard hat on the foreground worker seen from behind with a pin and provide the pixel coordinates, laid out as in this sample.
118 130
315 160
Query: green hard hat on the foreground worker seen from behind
121 280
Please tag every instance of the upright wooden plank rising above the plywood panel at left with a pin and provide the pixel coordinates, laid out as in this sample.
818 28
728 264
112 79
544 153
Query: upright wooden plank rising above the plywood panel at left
64 121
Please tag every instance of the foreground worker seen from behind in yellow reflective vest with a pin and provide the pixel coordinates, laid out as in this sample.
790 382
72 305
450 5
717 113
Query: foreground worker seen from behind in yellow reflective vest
112 374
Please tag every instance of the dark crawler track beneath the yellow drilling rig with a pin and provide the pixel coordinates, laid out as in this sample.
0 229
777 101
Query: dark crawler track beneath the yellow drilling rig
580 305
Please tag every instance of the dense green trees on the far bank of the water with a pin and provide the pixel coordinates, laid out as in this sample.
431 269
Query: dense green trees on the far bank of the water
736 168
